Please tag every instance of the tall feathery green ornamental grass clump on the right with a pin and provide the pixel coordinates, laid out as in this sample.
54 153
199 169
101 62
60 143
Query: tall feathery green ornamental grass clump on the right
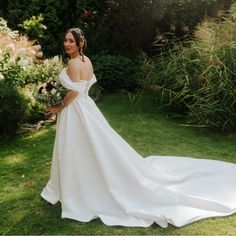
199 80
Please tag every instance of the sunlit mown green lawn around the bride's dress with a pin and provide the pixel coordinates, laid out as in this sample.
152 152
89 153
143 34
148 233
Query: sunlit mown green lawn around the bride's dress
25 166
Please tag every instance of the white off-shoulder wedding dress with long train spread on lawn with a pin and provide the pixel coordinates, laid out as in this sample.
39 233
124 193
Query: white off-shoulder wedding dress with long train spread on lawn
95 173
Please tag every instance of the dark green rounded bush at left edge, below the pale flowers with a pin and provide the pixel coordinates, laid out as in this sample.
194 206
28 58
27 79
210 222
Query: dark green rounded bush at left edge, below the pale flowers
12 109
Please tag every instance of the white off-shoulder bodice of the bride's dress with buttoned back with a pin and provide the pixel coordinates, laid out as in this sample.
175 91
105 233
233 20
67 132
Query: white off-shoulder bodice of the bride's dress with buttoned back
82 86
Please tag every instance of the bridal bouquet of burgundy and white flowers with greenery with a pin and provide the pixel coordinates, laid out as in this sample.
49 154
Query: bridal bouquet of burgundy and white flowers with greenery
51 93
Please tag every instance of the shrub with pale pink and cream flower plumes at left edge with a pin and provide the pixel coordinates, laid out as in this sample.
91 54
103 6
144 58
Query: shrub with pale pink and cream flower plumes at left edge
17 55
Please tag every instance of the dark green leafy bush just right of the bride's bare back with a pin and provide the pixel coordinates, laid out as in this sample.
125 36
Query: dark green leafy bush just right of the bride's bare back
116 71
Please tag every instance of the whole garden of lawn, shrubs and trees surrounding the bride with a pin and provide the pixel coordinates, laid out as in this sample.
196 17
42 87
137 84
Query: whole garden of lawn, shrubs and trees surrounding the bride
166 82
